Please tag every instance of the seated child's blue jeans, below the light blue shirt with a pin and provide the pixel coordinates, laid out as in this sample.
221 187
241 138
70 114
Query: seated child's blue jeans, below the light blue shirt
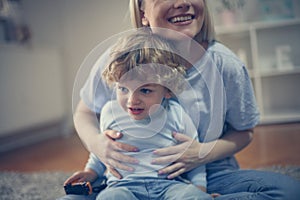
152 189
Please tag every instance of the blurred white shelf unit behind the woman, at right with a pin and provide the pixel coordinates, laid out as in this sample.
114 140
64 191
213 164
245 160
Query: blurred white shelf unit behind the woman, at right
277 89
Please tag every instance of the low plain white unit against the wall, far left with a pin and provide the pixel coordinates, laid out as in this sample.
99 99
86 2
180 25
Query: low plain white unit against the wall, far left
31 88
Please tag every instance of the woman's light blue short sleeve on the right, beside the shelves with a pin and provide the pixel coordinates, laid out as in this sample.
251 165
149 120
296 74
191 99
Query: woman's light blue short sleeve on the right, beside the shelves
241 108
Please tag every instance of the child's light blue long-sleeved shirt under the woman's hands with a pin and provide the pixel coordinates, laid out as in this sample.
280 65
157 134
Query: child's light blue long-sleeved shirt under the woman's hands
147 135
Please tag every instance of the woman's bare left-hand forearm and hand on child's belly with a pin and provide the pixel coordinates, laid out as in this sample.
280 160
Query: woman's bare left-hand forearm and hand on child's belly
104 145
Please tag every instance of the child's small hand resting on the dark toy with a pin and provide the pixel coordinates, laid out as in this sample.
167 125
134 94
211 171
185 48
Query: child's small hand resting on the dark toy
82 176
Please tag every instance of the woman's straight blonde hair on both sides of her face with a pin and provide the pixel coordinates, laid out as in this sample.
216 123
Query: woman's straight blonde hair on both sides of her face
206 34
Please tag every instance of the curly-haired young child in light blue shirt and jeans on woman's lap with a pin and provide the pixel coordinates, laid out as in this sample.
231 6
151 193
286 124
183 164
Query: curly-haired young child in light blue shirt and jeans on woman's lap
145 80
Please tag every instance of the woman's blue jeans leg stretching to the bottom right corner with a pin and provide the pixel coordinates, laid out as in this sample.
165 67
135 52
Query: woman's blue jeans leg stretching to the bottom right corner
252 184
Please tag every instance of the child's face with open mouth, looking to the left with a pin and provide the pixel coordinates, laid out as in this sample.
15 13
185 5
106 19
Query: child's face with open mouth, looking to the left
140 100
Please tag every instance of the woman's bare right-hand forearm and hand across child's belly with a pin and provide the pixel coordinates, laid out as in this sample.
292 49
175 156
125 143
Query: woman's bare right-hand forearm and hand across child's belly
229 144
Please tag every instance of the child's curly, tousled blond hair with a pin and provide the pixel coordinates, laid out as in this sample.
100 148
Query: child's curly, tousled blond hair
146 57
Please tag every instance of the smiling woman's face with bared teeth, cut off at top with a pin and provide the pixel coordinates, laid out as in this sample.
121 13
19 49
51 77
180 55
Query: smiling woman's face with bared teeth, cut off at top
185 16
